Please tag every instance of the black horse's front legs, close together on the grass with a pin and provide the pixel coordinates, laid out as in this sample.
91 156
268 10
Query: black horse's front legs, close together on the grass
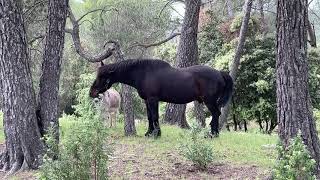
153 105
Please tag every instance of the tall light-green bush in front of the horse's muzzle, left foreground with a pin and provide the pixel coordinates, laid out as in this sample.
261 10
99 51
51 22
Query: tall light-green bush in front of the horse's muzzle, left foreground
82 149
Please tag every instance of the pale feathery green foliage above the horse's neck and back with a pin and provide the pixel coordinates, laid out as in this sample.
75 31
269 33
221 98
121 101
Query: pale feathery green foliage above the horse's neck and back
128 22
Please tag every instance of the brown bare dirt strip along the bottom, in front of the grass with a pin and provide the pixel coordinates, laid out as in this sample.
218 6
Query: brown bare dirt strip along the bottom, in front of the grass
136 162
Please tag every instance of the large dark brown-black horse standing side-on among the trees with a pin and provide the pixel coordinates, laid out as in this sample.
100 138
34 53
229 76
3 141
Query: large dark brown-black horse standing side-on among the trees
156 80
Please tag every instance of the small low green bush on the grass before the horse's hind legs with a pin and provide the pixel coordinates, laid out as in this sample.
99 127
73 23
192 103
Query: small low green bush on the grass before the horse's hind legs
195 148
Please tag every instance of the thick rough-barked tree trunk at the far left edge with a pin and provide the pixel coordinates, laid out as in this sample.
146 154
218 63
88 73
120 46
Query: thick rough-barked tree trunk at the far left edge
24 147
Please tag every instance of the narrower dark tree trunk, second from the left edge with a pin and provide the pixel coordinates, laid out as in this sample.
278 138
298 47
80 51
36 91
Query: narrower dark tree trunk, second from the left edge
51 67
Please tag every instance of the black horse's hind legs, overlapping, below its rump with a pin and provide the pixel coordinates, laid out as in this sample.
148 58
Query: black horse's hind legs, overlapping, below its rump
215 112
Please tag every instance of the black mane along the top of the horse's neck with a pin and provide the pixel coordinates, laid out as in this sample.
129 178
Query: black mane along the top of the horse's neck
136 63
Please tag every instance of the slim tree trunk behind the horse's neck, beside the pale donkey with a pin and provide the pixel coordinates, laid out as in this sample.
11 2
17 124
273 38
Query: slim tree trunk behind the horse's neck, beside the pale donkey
127 98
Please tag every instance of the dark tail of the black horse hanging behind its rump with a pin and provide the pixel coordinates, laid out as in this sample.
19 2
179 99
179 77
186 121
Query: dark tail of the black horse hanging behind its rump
227 91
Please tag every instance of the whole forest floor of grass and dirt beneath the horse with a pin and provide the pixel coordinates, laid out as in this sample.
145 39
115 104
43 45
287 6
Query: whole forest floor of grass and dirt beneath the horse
237 155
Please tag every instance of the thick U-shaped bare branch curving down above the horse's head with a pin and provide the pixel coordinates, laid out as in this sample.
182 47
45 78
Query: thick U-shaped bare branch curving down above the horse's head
107 52
